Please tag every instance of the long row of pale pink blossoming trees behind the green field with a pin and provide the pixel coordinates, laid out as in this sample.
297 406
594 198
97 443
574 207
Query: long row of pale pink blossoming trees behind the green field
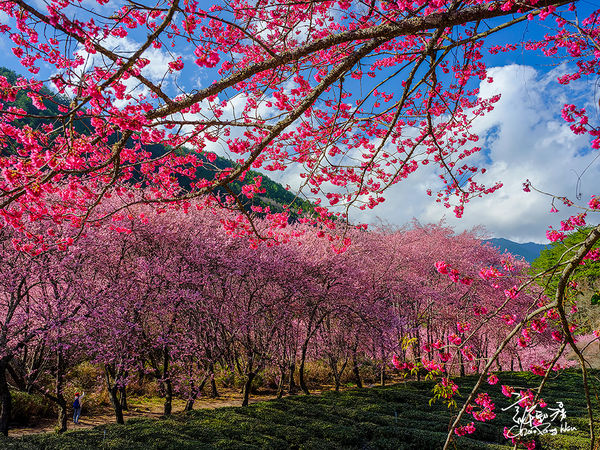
175 297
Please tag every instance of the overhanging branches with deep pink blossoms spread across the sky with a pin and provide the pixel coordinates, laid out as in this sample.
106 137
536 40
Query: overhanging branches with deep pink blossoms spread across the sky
355 96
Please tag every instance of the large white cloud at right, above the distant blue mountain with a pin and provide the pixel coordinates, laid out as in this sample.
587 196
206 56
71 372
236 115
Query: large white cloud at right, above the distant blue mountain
524 137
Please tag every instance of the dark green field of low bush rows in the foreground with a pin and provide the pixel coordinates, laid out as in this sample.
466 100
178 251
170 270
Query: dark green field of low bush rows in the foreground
394 417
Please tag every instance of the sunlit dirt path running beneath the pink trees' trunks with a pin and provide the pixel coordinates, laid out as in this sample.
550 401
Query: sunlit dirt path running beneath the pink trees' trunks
137 408
